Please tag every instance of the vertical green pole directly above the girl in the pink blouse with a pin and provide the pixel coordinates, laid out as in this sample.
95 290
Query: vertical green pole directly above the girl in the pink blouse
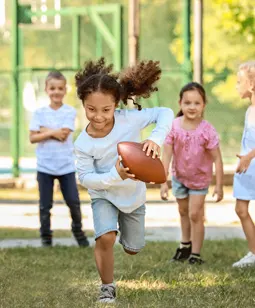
187 41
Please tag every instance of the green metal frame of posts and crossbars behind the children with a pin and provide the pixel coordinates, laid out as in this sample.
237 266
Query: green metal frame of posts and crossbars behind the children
22 14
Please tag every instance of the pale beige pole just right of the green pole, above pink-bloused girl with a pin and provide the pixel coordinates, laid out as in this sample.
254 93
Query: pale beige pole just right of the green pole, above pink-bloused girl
198 41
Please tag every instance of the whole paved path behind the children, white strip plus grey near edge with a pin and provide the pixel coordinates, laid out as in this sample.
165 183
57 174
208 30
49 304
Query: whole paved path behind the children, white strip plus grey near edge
162 222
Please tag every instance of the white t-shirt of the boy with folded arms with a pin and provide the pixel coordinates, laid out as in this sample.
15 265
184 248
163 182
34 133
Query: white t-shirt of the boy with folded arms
55 157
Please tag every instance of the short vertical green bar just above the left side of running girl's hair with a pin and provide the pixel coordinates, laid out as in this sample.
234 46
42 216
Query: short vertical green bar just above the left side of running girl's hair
76 41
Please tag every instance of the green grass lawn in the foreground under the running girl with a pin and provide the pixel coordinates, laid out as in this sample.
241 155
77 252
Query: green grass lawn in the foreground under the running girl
67 277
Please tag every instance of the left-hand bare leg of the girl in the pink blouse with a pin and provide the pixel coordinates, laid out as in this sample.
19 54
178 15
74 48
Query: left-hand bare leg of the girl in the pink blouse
183 205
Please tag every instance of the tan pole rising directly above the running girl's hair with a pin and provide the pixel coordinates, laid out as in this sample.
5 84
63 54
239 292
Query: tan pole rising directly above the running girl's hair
133 31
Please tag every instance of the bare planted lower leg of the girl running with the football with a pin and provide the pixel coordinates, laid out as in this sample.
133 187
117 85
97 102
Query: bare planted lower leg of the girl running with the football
104 256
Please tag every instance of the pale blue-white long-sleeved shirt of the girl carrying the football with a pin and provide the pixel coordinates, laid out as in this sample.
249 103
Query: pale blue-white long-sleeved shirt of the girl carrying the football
96 157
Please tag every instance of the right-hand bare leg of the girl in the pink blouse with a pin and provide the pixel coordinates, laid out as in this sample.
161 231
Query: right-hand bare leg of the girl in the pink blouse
196 215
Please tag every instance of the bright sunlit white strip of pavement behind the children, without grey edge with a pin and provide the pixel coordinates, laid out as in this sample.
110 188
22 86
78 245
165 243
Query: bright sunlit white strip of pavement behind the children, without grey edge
157 215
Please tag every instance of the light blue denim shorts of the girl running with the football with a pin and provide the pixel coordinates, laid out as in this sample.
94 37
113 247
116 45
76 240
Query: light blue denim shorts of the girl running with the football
108 217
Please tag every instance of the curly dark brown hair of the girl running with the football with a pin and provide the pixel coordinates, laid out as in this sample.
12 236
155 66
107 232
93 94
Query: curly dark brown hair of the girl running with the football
136 81
